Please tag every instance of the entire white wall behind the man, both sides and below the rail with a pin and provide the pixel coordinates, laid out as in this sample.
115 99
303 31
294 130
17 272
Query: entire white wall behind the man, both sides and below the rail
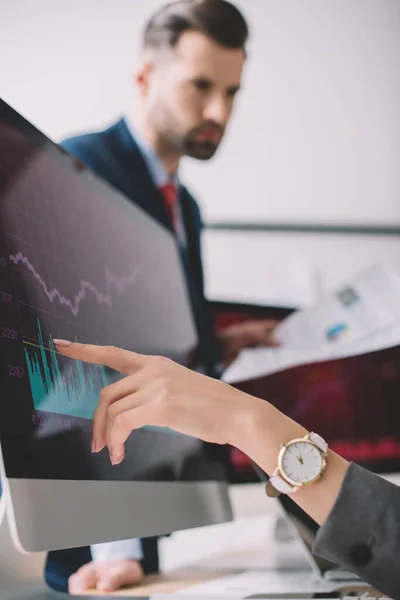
315 136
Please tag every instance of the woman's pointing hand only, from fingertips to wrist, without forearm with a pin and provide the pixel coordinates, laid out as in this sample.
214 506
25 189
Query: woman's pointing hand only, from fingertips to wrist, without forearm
156 391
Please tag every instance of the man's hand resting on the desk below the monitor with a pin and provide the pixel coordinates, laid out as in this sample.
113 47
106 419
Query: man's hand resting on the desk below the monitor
105 576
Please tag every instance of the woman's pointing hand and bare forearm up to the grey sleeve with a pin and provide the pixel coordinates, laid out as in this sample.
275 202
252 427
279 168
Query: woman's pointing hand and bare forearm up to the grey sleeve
157 391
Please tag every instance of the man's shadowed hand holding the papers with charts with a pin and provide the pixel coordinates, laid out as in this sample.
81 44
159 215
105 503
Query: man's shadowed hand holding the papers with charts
248 334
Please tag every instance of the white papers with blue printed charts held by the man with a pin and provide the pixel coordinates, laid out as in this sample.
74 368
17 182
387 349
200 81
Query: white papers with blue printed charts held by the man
361 317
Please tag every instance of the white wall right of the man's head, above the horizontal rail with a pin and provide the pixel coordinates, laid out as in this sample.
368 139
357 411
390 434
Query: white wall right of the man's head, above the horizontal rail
317 133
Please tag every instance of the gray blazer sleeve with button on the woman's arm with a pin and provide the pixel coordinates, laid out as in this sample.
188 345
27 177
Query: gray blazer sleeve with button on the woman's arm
362 532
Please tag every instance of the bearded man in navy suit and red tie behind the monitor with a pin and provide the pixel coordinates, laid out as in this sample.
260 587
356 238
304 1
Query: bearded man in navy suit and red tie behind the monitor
189 75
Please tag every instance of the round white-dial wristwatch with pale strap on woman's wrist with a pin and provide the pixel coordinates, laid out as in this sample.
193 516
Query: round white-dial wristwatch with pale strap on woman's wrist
300 462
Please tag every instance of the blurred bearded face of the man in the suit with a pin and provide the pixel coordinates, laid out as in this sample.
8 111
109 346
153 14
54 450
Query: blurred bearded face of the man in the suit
189 95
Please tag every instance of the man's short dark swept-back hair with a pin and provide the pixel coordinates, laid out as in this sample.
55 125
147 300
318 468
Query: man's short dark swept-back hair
218 19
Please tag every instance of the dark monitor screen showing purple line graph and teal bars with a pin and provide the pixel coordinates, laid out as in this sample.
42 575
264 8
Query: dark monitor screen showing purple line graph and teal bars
80 261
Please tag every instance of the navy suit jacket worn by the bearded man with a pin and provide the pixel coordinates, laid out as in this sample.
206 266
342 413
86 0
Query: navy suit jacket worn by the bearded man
114 155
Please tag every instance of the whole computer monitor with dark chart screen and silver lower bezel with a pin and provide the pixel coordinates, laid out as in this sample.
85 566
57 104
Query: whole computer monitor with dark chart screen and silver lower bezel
80 261
